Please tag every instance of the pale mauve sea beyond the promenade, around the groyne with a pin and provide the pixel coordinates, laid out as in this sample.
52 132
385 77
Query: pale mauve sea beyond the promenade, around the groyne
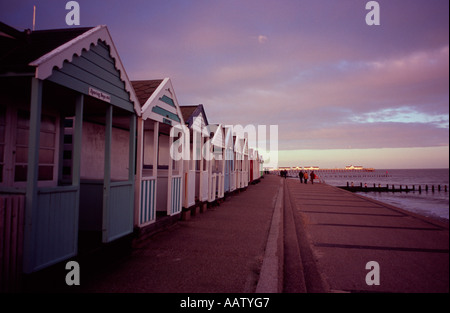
428 203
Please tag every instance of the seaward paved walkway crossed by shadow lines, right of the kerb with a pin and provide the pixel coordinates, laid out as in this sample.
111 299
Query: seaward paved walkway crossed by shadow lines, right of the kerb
340 232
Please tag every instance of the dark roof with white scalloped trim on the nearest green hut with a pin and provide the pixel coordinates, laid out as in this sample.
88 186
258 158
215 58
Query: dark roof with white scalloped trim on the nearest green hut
39 52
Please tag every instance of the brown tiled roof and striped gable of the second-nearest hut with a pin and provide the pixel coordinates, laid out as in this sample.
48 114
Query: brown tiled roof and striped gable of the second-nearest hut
158 101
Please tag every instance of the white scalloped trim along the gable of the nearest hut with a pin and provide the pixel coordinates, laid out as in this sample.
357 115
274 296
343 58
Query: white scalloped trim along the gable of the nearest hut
55 58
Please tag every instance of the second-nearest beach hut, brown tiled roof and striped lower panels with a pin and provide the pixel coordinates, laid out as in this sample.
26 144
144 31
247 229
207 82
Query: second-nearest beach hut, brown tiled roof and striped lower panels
159 174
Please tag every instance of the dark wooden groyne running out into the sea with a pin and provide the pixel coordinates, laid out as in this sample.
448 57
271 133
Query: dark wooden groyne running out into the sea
393 188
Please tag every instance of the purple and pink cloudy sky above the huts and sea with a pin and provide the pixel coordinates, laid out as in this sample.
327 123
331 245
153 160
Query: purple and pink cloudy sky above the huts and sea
341 92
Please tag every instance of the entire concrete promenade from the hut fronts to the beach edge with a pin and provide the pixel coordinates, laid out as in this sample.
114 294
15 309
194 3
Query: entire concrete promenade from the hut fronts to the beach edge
280 236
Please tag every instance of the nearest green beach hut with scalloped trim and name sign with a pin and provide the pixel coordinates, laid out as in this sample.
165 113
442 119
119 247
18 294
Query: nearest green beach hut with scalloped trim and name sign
67 142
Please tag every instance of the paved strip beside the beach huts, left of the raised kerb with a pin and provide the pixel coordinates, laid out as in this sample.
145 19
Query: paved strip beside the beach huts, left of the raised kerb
218 251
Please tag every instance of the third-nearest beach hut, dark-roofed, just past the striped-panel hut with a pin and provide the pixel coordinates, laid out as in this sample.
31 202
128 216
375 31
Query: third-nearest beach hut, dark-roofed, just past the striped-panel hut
196 170
